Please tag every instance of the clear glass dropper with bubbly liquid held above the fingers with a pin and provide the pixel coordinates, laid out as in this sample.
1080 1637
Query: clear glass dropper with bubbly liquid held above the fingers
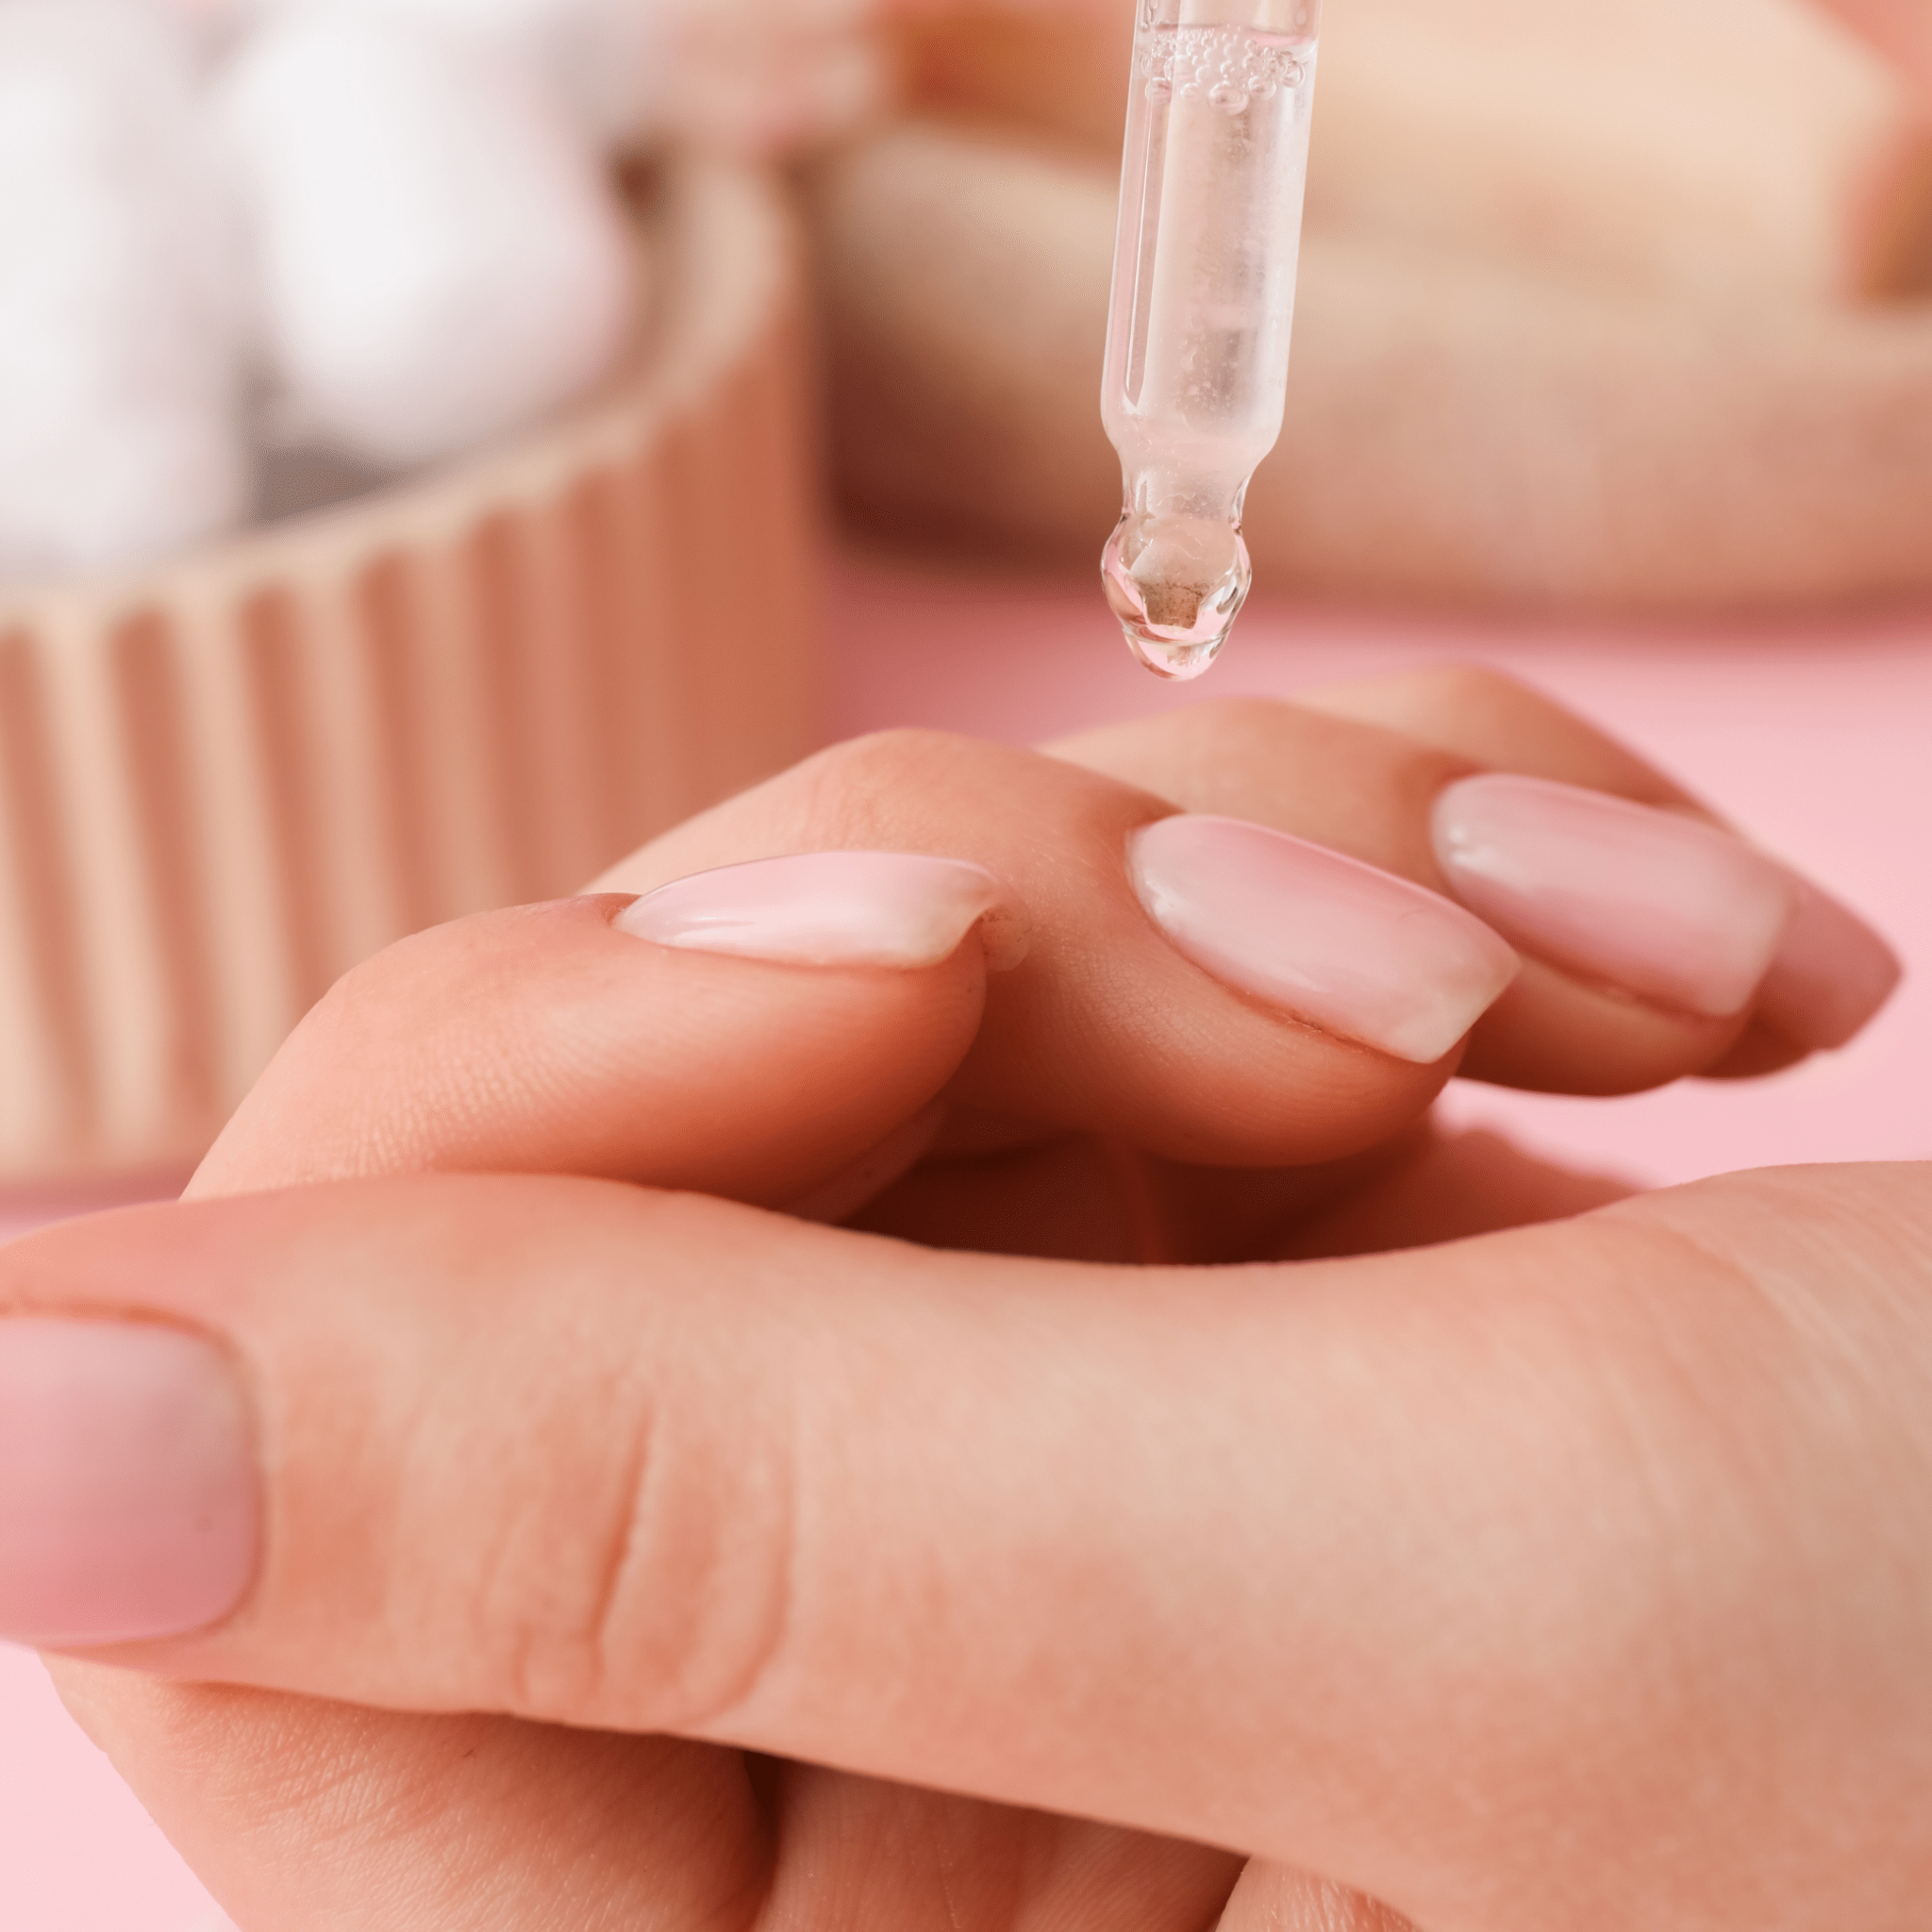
1203 304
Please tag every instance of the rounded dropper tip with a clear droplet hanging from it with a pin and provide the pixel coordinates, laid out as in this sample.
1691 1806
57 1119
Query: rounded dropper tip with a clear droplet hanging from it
1176 584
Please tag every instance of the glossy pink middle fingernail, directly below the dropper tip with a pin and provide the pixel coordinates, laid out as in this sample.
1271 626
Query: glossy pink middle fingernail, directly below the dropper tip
1350 948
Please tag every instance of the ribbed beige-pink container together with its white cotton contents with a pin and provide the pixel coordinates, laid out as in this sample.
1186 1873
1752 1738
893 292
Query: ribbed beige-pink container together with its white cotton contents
447 298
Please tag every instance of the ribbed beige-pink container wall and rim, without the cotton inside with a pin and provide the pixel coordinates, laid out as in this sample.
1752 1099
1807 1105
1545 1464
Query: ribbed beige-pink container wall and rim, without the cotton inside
233 778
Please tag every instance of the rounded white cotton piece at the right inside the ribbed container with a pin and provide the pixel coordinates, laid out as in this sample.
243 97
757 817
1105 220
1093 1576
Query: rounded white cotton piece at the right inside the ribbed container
440 258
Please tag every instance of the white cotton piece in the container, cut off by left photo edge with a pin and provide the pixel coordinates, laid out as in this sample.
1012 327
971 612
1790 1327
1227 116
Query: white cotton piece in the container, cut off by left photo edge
121 418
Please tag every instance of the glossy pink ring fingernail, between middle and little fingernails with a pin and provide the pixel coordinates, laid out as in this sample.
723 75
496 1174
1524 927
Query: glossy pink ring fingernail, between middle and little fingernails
1649 901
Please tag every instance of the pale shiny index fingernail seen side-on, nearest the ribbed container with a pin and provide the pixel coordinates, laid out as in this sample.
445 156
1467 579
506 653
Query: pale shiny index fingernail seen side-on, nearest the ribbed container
834 909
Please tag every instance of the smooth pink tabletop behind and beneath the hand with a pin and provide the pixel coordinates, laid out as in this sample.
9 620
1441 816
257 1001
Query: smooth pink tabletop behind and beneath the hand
1817 737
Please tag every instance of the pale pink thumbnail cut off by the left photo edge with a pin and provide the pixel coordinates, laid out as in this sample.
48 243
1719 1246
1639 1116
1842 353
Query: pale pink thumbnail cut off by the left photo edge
128 1492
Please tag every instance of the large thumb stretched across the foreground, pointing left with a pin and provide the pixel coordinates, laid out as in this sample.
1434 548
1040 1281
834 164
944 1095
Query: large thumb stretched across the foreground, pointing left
1280 1558
